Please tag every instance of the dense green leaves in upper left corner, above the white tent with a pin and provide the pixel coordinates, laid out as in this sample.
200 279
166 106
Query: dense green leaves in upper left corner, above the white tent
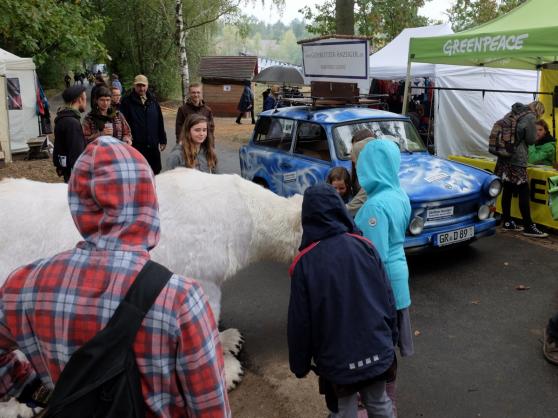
57 34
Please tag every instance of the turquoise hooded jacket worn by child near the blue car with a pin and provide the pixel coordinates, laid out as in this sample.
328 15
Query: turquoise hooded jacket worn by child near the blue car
385 216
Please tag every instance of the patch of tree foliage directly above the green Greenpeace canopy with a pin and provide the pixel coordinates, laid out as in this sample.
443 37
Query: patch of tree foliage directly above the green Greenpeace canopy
465 14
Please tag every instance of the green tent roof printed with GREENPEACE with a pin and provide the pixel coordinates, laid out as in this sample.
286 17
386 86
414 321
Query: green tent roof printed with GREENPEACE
524 38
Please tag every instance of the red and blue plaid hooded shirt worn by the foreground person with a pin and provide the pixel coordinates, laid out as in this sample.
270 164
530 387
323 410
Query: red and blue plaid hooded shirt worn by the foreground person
50 308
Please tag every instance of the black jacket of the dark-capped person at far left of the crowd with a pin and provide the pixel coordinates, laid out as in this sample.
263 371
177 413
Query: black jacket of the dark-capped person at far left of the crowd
69 141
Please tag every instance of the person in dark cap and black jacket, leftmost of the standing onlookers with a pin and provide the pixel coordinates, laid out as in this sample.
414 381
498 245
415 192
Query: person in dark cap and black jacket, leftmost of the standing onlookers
69 141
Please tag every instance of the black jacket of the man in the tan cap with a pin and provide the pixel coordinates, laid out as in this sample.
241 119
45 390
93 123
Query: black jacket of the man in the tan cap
145 120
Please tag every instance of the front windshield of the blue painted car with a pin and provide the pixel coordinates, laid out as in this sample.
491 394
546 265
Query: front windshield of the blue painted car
399 131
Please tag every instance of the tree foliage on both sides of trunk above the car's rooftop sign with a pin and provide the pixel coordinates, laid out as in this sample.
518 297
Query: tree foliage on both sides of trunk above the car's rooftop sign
381 20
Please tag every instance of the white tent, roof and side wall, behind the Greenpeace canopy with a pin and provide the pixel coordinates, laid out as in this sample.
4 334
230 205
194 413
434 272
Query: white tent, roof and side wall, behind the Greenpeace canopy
462 119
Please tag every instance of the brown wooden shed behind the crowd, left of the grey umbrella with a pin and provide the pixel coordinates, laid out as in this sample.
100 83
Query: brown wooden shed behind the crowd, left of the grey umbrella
222 78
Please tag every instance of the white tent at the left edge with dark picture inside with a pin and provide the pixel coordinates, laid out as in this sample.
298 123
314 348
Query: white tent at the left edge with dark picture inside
20 77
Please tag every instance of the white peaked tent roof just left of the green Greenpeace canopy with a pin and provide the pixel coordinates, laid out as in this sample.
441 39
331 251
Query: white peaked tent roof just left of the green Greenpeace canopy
390 62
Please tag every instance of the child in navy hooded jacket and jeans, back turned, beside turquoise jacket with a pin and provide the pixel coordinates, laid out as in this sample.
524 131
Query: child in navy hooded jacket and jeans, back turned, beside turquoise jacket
342 312
